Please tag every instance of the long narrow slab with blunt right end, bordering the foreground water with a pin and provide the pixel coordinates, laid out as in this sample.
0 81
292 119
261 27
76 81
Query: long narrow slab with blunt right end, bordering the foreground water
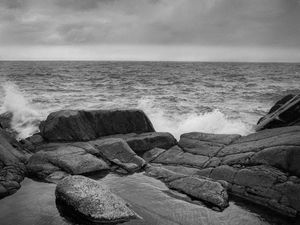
198 187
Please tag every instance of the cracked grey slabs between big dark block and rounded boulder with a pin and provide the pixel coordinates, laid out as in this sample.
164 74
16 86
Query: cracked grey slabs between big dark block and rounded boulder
83 157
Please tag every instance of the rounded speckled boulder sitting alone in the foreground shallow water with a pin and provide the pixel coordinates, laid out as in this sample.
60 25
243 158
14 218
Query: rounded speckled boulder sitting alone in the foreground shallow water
92 200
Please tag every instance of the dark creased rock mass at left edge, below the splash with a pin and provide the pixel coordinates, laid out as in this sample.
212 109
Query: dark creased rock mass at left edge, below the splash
12 168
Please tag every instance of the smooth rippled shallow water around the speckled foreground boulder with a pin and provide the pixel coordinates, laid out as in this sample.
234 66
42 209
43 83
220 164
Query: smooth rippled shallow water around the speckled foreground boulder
147 196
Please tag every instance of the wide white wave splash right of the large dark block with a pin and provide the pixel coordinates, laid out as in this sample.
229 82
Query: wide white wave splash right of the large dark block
210 122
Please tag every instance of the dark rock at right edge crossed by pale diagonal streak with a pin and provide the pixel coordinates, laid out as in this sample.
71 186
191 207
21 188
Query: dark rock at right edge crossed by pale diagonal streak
291 117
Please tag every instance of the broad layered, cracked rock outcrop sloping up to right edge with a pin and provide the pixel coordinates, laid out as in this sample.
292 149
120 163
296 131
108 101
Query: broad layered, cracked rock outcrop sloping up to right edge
262 167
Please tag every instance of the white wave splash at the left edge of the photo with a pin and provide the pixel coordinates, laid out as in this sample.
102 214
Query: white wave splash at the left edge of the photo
25 118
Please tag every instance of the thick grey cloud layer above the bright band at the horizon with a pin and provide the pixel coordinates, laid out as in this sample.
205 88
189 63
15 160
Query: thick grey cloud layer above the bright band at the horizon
258 23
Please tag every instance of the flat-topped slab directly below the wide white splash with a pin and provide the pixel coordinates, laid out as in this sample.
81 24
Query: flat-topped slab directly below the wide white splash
205 144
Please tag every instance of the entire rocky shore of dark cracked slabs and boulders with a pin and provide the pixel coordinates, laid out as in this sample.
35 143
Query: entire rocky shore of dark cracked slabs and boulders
263 167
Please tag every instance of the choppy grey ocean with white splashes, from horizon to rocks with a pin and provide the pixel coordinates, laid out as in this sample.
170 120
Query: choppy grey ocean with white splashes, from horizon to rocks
178 97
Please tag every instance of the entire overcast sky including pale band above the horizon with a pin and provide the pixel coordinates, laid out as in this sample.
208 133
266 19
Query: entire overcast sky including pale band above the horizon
179 30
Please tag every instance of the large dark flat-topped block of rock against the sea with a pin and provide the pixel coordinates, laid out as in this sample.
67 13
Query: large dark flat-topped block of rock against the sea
76 125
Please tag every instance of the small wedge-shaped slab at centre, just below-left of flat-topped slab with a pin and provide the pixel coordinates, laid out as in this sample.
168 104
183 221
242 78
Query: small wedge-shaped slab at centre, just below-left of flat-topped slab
176 156
